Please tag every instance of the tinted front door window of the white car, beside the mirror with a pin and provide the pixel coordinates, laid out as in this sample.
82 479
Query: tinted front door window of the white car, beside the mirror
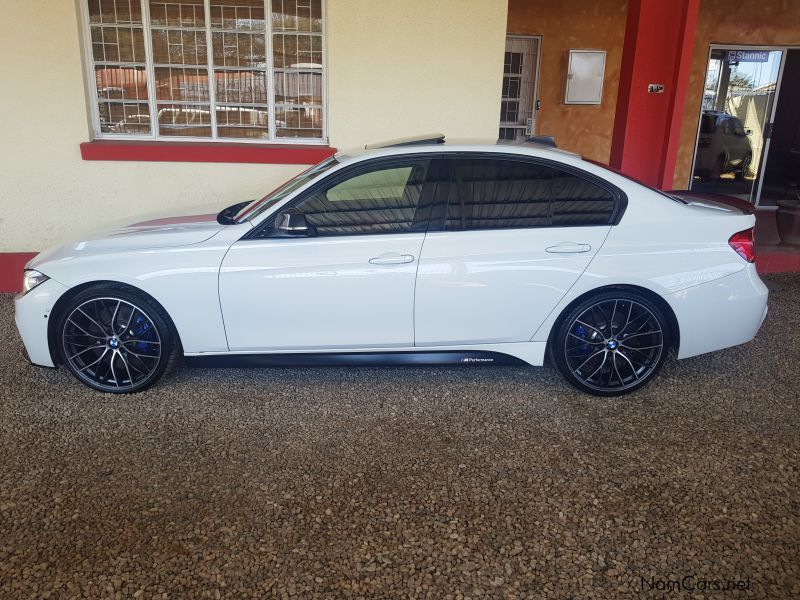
383 199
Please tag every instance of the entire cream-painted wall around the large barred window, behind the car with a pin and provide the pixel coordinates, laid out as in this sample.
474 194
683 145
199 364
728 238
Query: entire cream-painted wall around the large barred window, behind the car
395 68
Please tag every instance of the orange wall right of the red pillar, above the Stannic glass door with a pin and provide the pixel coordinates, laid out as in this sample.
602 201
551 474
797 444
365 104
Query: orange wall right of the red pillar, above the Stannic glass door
748 22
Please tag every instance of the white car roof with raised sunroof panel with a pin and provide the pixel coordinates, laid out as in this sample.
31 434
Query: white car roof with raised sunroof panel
437 143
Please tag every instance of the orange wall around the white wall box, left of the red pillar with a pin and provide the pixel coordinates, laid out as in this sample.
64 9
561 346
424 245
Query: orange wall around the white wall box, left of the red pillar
565 25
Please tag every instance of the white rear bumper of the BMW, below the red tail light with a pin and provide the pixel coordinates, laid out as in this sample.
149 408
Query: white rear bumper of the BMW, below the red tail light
719 314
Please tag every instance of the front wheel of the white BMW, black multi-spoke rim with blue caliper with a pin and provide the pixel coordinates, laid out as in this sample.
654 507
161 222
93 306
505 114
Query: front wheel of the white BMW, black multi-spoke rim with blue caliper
115 340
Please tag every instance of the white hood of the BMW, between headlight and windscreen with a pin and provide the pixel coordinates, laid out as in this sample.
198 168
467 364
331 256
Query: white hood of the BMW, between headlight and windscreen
142 233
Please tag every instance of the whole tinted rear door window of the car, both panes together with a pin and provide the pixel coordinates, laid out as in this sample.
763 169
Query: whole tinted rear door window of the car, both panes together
498 193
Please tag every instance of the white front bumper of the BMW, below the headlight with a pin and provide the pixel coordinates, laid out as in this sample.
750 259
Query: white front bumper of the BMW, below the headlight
32 314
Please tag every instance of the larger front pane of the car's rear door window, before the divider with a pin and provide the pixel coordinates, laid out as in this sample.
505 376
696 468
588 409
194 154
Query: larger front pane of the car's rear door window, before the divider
498 194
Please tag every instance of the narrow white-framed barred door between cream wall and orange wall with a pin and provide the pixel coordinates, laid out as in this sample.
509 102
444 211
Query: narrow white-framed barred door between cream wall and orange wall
519 101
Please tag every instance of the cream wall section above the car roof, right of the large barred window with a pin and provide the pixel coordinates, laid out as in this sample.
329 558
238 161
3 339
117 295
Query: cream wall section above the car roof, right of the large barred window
402 67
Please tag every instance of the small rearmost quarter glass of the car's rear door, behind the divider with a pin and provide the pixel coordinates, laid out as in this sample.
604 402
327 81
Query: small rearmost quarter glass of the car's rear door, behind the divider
578 201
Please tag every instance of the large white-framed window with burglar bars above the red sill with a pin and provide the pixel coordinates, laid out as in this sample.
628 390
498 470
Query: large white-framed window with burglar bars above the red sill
211 69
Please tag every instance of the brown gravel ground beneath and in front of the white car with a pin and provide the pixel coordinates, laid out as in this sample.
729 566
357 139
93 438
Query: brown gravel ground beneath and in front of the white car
406 482
